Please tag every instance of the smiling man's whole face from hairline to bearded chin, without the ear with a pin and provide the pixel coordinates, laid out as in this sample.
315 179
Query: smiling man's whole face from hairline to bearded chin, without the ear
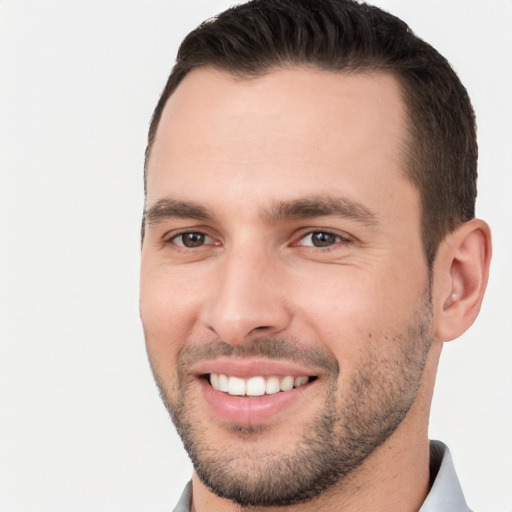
283 249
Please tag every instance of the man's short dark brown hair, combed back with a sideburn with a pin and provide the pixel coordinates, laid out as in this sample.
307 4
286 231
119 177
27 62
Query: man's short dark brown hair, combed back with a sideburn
251 39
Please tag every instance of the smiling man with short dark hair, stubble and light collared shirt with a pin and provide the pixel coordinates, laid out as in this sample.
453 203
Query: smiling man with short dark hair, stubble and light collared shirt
309 243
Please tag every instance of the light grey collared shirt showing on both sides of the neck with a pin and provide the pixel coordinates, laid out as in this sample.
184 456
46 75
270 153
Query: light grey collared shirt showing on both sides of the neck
444 496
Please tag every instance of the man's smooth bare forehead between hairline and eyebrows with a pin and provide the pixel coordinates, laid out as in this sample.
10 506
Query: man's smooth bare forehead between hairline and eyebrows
281 134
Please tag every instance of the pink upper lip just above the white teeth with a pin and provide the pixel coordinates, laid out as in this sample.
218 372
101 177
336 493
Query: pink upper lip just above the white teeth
252 367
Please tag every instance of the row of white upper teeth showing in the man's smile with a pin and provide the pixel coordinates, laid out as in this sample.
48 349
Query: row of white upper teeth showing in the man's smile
255 386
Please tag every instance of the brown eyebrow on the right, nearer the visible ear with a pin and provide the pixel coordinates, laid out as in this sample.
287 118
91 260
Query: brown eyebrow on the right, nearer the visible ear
321 206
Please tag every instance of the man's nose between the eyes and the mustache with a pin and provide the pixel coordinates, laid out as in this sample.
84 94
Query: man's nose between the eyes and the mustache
248 297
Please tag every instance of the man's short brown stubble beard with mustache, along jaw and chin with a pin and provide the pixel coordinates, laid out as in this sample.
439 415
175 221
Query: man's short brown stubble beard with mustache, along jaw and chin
346 431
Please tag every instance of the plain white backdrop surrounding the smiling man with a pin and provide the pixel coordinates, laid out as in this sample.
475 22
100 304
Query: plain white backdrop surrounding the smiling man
81 426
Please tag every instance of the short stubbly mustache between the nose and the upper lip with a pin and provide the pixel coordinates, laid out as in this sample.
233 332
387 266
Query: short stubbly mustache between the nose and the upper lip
269 348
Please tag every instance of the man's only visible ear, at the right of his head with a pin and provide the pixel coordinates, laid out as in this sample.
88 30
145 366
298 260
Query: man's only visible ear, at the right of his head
461 271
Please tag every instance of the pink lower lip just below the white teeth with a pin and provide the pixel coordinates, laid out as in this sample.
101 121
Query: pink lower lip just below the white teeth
245 410
